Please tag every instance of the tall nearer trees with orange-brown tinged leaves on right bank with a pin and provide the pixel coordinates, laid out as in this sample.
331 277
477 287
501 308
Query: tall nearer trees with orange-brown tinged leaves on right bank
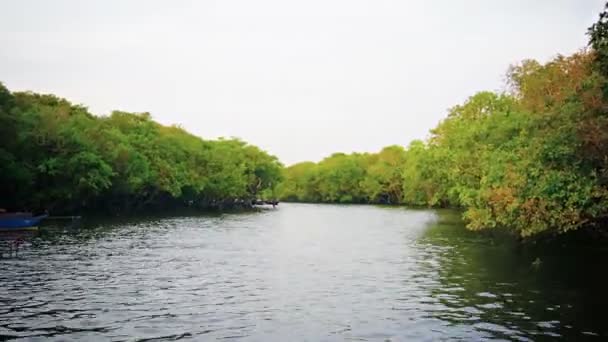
525 160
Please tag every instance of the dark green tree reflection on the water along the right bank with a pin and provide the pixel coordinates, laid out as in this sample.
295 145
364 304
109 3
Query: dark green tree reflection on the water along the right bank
494 285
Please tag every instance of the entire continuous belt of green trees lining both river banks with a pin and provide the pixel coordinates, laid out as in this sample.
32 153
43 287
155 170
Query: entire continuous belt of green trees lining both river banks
532 160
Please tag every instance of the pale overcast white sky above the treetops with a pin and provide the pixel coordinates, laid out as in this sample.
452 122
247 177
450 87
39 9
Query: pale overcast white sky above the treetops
300 79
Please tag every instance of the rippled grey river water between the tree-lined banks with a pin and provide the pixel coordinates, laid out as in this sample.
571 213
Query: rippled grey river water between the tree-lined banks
301 272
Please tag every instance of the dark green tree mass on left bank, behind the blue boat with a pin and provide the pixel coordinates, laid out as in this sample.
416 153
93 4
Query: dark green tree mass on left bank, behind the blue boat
57 156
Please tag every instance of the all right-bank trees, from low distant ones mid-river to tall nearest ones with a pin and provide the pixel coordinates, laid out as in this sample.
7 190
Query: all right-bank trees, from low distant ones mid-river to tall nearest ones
533 159
